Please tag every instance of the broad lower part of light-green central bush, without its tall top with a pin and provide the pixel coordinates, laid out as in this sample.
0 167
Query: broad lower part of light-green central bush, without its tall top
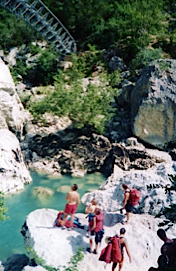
90 107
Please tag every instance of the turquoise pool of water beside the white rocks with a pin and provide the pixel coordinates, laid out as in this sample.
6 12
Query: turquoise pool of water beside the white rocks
21 204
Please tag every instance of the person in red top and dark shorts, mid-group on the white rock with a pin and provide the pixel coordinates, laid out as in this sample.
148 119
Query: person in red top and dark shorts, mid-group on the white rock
96 230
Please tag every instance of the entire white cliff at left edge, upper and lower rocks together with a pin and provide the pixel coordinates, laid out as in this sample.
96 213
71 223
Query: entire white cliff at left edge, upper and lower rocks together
13 172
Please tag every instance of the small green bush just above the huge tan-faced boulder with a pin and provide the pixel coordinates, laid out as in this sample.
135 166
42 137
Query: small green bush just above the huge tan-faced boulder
145 56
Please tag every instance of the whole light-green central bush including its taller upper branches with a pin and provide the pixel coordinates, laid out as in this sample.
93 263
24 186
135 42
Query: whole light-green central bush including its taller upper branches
91 106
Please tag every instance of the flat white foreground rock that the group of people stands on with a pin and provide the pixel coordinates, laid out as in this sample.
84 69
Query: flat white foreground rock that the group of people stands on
56 246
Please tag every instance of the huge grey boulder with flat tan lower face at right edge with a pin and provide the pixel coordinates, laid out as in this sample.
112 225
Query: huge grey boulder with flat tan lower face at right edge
153 104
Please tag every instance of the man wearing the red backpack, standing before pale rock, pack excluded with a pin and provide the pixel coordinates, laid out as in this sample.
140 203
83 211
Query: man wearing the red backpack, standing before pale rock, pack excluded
126 202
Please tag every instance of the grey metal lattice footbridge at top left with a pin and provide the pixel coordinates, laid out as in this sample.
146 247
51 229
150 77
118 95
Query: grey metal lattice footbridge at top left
36 13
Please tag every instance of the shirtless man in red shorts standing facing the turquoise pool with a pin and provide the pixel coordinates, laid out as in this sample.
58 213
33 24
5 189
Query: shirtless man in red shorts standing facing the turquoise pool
71 206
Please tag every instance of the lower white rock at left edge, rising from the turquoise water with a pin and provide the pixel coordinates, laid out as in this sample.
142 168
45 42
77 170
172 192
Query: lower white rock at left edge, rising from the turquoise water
13 172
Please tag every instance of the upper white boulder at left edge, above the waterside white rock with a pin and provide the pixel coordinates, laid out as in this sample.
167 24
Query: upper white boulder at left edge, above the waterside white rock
12 114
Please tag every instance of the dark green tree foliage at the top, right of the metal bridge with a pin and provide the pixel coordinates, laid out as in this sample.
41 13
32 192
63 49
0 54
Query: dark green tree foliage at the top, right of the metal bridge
127 24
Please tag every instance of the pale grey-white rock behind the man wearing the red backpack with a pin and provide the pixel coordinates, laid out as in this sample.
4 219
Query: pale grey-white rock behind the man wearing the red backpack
110 194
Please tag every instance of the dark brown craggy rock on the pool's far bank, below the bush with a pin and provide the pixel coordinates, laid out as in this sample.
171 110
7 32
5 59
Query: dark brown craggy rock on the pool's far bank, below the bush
67 152
